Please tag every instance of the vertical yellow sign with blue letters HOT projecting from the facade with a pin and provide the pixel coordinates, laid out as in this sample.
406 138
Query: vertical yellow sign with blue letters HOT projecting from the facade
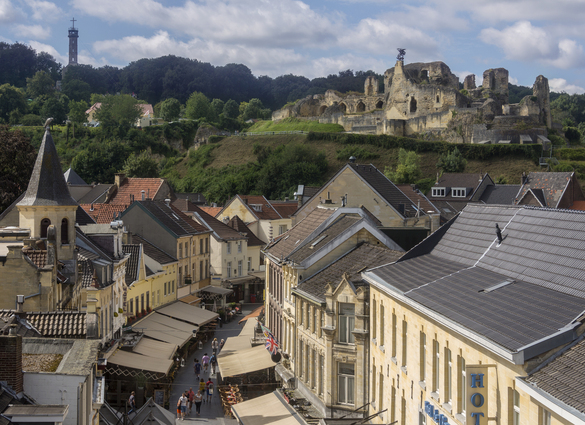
476 394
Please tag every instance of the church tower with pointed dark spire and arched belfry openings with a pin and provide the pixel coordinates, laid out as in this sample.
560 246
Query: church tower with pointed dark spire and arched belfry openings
47 202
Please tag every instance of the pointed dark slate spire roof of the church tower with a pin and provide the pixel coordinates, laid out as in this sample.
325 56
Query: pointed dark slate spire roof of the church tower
47 185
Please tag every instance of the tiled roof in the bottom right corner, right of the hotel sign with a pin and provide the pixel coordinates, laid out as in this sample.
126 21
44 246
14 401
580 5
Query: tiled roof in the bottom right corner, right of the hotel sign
562 377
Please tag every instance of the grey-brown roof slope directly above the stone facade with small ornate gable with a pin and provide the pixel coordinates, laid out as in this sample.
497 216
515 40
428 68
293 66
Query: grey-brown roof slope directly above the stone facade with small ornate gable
361 257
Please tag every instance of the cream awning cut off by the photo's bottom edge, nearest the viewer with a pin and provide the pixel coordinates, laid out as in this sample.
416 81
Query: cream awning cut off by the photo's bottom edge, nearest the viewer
267 409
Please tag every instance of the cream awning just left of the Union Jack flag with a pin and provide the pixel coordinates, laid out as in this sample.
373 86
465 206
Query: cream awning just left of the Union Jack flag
237 362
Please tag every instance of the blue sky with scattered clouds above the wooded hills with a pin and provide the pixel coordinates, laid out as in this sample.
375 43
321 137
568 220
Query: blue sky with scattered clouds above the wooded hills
315 38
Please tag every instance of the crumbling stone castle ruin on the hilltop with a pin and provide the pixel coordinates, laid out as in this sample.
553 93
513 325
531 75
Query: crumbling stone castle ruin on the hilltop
426 99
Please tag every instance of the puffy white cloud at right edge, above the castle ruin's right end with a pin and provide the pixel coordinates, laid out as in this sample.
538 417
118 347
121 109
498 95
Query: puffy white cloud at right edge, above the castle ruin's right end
525 42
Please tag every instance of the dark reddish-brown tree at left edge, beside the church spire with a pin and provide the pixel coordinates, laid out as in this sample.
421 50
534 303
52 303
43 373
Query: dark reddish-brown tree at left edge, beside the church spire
17 159
